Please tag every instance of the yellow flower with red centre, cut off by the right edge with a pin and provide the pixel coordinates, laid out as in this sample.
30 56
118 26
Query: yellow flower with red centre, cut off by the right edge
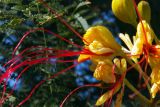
143 43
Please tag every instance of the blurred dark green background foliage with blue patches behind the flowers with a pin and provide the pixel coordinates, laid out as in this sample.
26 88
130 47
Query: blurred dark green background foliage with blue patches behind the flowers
19 16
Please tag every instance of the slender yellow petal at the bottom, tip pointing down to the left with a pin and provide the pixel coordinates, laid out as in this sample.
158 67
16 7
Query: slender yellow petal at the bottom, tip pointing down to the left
104 98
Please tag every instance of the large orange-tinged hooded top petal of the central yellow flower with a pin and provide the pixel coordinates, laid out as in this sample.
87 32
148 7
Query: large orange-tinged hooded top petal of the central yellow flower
102 35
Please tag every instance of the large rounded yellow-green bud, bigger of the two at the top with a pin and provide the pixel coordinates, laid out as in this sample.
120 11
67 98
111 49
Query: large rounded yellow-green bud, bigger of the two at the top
124 10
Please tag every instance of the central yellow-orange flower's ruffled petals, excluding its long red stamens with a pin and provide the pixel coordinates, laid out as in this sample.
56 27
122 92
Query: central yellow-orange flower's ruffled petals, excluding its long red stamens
100 41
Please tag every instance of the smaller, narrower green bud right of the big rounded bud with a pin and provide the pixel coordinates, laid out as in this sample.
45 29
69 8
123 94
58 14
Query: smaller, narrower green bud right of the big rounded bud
145 10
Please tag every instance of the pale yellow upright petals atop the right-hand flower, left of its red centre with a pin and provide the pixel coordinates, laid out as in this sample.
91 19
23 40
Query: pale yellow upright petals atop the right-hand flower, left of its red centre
143 37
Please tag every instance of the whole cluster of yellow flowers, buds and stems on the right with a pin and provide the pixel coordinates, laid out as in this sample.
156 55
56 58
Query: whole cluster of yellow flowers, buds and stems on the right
110 59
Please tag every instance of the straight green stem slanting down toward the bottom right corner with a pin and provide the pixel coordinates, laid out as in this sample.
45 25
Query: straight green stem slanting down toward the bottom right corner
131 87
